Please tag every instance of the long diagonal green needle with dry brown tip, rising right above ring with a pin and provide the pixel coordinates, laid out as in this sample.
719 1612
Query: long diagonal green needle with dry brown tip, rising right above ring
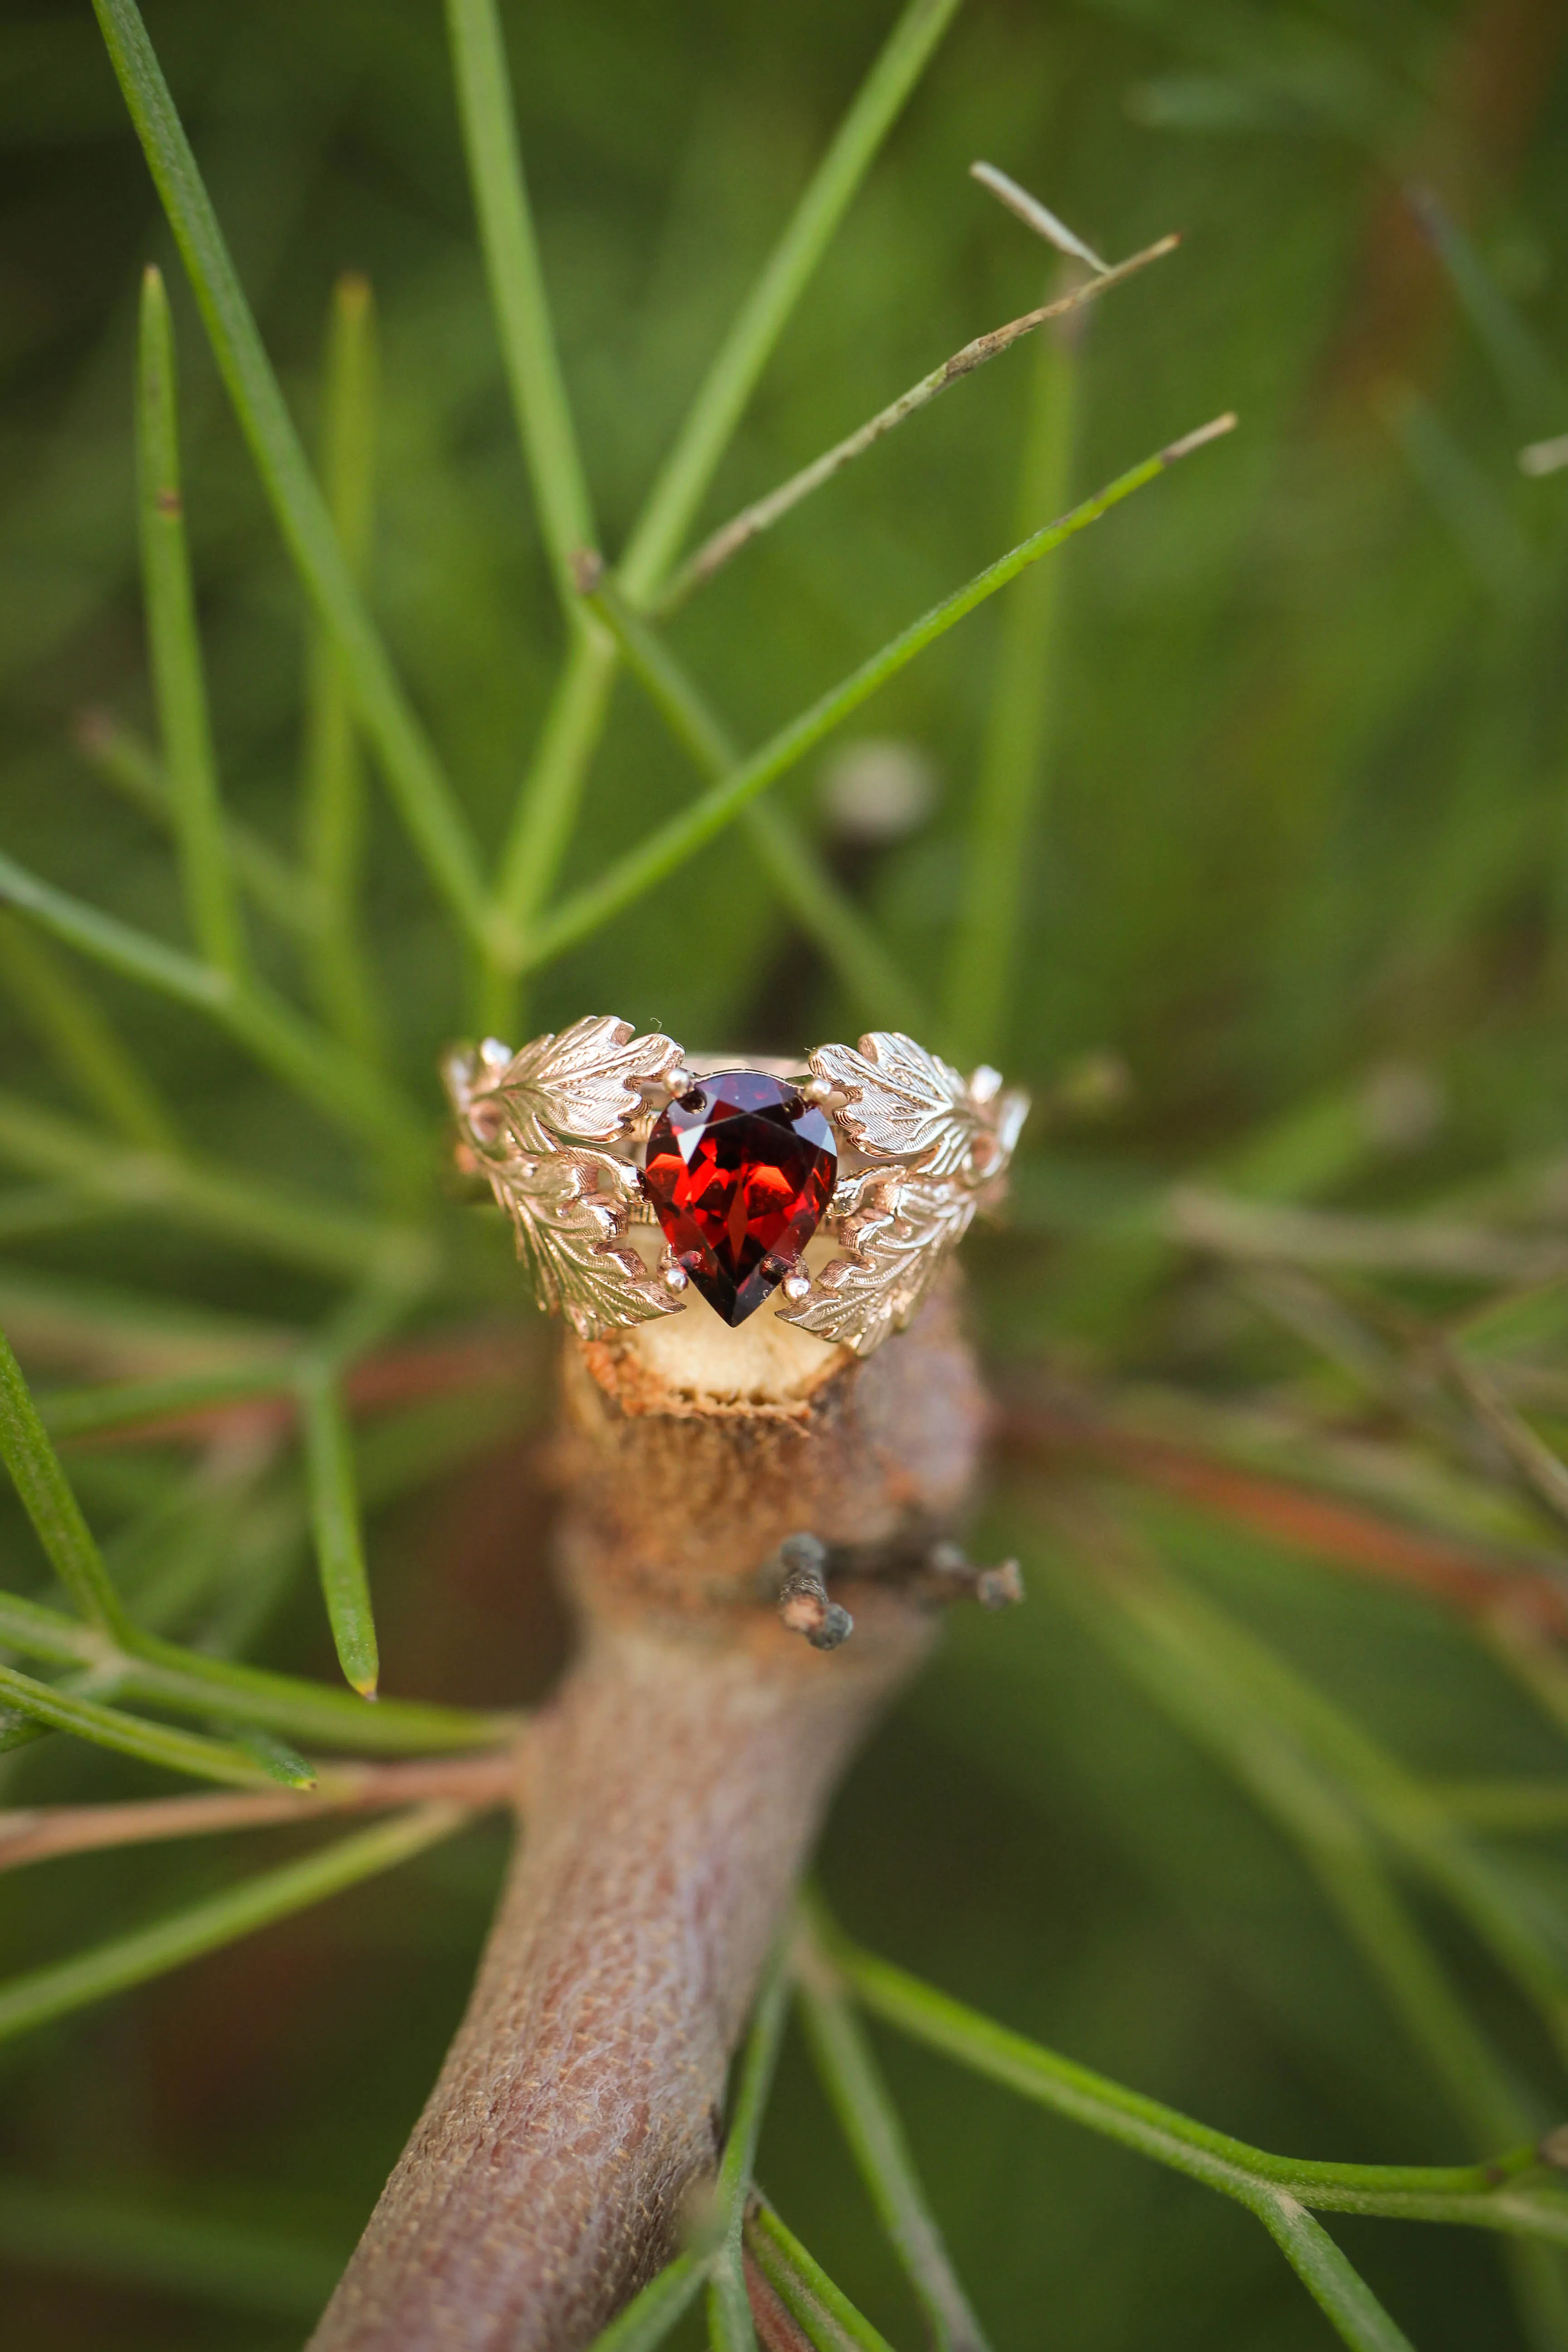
683 836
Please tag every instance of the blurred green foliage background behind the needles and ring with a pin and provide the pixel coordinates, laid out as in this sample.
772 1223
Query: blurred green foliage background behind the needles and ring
1301 874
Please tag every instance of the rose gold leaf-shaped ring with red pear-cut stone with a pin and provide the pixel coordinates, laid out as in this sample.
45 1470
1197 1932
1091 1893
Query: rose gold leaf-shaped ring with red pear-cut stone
587 1135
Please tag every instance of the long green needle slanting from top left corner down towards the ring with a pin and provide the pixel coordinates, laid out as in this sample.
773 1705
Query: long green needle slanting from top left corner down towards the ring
410 766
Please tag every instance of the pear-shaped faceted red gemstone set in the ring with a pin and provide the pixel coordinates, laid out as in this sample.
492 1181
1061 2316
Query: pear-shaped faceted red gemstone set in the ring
739 1172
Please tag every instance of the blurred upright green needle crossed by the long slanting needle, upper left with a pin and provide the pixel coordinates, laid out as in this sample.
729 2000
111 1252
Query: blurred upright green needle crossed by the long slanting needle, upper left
333 803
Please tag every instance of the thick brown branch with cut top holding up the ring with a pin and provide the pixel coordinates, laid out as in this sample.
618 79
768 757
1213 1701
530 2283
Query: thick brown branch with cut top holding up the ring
676 1786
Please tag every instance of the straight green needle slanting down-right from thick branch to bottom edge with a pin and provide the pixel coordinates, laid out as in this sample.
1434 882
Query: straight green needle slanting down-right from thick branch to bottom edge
871 2125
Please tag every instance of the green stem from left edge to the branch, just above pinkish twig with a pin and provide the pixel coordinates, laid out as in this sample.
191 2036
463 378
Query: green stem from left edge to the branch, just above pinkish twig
194 1683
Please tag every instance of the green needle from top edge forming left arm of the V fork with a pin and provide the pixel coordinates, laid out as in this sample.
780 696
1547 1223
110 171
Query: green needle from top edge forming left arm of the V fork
518 288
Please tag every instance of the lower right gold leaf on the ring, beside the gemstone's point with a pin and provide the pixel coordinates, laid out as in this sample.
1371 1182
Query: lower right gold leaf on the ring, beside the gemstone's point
897 1245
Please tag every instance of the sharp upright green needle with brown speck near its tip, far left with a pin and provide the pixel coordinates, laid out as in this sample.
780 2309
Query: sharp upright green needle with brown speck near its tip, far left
180 686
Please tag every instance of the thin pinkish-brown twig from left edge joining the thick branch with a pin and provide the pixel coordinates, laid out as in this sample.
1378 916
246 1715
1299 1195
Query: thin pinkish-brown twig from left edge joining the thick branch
342 1789
